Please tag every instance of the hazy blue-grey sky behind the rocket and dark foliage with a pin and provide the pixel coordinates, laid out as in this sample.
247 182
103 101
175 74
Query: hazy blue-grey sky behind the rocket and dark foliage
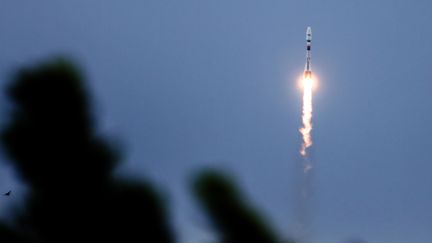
186 84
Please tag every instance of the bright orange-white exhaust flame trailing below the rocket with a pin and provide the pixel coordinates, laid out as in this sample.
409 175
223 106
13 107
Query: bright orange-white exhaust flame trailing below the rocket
306 130
